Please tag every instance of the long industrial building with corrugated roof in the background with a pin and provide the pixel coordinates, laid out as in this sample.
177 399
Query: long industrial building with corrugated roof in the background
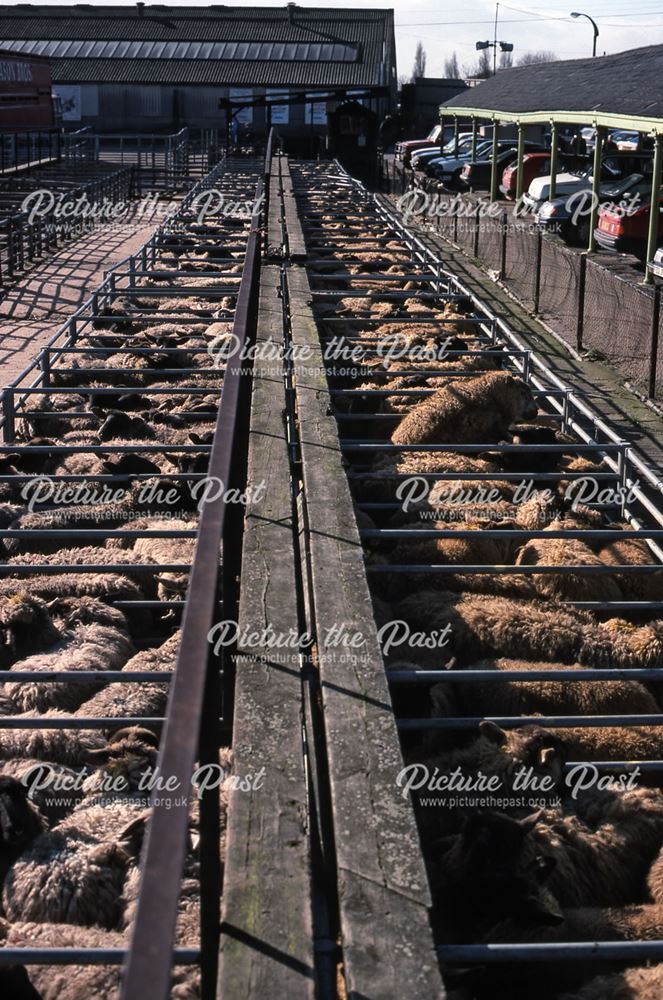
156 68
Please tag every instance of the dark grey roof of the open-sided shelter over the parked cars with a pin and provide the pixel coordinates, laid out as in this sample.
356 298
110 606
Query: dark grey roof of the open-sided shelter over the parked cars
628 83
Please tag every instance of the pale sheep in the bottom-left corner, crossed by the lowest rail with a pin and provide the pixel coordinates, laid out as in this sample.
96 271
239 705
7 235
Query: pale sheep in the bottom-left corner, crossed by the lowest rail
73 982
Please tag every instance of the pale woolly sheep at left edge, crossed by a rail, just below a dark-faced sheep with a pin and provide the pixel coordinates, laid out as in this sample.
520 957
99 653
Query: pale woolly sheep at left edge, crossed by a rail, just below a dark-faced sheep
96 639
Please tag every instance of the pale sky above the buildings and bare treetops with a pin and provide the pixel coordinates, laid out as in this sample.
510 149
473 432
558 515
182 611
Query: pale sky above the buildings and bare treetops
447 27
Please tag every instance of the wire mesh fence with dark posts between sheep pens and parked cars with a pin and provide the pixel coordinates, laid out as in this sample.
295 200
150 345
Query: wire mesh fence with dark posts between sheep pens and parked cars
591 301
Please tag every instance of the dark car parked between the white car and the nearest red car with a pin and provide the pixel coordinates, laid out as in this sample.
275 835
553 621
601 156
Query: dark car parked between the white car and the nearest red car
571 216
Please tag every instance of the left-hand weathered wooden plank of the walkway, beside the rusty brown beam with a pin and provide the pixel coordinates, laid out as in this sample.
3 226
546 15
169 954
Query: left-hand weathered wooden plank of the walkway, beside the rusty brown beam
267 932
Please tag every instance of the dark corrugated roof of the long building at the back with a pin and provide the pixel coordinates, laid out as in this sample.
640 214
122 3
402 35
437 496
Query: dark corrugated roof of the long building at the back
372 30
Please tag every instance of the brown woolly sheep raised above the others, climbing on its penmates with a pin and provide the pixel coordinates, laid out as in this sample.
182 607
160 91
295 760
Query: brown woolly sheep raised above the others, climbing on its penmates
469 411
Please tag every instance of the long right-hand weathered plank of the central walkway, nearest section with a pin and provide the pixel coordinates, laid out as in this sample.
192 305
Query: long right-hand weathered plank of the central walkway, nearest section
384 900
